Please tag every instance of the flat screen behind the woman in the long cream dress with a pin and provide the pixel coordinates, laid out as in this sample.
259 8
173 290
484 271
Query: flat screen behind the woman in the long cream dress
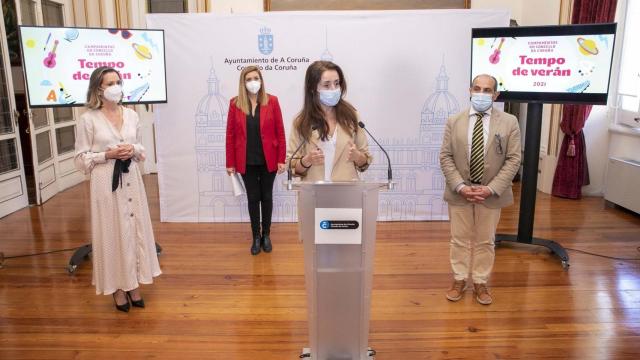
58 62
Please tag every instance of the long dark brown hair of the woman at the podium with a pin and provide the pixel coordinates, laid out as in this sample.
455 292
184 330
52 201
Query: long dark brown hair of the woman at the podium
312 114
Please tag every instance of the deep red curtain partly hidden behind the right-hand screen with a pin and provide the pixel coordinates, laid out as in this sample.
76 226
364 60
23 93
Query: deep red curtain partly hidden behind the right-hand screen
572 171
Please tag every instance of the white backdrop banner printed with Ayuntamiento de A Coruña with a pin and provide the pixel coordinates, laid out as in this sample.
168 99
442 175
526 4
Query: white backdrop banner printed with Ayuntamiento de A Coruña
407 72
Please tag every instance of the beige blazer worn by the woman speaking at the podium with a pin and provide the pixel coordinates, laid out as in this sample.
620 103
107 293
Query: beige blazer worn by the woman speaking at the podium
343 169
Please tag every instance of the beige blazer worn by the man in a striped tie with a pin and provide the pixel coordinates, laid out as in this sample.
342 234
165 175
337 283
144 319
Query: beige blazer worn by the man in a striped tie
499 166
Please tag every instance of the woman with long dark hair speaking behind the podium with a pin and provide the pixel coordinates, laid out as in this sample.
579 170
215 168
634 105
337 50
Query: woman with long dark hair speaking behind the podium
326 143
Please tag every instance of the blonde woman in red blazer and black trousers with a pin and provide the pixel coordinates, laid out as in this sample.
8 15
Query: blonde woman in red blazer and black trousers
256 149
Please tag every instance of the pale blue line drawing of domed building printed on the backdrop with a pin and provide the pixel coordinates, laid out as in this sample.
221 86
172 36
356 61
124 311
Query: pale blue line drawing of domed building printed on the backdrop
418 194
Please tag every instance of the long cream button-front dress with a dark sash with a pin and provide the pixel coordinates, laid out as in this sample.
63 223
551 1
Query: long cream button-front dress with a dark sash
123 246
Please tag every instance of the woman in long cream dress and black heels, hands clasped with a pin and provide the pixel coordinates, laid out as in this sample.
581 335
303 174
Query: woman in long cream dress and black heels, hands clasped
108 148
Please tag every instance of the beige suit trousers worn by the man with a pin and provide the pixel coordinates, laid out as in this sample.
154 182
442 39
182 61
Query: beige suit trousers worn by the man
473 229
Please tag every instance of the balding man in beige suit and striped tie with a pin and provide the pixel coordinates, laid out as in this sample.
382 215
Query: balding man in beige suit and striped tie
480 155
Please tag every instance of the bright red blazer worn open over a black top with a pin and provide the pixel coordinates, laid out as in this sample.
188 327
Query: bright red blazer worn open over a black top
271 133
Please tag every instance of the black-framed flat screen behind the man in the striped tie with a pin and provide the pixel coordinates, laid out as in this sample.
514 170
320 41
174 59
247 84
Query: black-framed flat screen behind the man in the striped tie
549 64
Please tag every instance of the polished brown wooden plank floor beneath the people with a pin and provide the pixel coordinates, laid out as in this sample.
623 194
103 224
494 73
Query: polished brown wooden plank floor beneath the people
216 301
